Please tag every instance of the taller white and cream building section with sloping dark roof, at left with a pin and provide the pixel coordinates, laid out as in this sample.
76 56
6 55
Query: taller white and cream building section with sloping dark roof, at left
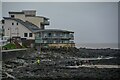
23 24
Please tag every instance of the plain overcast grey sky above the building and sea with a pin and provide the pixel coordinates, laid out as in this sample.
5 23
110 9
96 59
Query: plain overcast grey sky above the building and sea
92 22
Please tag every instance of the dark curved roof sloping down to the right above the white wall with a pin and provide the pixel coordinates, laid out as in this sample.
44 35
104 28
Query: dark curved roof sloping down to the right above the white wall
27 24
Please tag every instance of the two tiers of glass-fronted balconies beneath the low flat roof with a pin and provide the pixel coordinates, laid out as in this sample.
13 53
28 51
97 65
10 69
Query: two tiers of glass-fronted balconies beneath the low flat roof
52 37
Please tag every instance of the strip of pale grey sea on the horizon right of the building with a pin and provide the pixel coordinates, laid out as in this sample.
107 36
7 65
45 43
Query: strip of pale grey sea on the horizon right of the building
98 45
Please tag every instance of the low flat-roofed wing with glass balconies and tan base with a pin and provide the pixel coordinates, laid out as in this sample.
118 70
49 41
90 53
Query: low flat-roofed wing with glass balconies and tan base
55 38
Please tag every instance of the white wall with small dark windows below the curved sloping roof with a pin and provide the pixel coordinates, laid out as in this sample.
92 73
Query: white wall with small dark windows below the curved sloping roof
14 29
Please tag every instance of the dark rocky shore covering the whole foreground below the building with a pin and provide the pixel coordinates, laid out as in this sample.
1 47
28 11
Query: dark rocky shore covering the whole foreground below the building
53 65
